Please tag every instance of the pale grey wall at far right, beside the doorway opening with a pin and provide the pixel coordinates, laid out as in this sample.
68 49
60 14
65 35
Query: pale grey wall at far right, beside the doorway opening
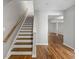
69 27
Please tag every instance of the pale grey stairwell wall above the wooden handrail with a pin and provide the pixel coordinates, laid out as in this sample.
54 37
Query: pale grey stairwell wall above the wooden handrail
11 13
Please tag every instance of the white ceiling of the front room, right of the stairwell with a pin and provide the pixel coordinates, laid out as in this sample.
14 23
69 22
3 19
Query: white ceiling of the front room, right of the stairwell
51 5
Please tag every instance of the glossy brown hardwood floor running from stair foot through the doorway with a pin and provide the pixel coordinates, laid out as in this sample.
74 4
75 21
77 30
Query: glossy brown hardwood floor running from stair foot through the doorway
54 50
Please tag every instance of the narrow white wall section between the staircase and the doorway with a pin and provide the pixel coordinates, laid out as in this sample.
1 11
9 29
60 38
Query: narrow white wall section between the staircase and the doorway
42 28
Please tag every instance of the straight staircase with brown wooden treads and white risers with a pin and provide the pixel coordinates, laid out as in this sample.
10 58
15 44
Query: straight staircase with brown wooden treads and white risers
22 44
